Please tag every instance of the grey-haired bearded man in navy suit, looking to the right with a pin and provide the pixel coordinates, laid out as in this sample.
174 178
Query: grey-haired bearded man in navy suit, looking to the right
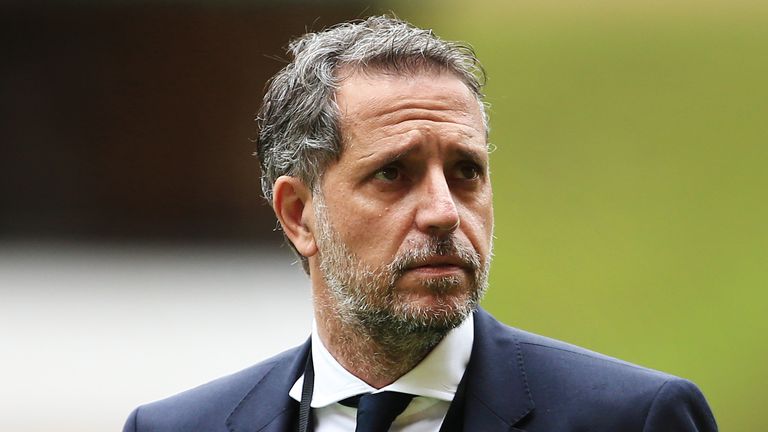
373 149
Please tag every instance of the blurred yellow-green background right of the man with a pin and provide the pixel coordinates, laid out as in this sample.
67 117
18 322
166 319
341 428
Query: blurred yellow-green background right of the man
630 180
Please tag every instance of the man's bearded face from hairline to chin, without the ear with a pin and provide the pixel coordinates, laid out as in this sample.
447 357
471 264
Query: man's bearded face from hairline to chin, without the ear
404 218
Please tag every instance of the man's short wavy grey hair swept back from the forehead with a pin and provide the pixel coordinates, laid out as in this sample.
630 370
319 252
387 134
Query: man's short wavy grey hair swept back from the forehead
298 122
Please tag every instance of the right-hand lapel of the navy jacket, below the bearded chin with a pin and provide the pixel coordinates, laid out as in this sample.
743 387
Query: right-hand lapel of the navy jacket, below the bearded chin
497 393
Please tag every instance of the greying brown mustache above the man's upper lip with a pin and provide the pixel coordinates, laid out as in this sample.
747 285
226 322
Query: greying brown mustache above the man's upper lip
433 247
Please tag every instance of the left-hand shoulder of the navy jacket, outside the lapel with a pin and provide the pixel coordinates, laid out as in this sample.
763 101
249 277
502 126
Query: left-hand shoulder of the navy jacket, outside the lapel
207 406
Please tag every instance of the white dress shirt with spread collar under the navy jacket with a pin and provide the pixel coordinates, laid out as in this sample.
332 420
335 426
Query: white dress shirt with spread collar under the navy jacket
434 381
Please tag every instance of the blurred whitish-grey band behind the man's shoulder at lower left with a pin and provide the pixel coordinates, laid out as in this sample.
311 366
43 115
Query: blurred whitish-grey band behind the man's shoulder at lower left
89 332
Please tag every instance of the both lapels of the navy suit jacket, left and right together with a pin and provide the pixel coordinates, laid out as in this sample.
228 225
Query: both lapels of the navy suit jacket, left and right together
497 395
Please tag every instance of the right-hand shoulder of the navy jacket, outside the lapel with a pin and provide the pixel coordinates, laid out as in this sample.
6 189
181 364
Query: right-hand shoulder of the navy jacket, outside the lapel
571 385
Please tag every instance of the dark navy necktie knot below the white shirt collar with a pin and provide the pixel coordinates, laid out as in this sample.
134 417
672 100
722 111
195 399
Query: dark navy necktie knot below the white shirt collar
377 411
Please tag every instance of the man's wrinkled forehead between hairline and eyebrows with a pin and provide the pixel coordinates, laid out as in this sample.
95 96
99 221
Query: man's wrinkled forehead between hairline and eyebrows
425 107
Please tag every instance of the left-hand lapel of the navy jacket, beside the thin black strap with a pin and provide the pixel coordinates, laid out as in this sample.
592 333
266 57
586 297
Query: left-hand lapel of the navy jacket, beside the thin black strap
267 407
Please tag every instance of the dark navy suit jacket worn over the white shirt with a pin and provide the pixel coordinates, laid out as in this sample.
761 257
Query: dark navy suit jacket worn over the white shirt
515 381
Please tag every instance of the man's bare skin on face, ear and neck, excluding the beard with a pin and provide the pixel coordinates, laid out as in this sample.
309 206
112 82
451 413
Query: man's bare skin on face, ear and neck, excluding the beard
414 165
